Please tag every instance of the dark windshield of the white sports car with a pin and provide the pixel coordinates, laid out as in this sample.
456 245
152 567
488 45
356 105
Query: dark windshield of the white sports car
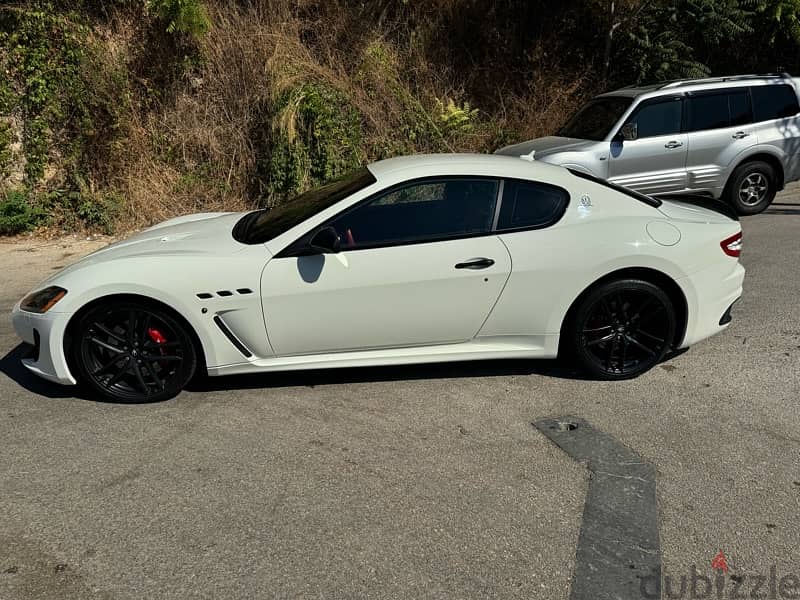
263 225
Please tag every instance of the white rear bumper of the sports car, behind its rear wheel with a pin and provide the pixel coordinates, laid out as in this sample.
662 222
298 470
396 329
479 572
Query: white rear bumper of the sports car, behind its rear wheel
710 295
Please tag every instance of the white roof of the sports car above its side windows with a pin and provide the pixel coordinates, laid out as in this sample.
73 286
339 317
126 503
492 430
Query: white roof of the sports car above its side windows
490 165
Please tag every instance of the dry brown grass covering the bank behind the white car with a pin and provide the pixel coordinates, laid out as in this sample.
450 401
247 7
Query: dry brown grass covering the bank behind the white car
197 149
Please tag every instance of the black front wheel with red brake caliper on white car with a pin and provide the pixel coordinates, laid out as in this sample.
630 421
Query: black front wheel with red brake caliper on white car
127 351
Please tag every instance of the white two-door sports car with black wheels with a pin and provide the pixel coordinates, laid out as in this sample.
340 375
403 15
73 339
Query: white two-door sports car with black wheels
409 260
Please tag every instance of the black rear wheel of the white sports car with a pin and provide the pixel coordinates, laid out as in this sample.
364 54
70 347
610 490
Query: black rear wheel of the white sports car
622 328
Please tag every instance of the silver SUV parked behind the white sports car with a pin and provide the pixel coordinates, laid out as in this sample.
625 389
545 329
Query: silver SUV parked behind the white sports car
735 138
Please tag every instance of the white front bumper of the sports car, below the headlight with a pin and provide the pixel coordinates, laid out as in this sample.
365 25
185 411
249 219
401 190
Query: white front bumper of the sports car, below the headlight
46 334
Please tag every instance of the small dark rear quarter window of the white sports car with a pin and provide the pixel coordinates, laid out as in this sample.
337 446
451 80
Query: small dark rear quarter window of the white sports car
527 204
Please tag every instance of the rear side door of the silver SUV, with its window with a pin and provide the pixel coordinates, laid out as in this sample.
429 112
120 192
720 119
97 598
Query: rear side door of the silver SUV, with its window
719 124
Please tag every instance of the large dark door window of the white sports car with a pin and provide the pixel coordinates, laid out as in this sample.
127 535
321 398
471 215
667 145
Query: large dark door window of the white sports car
419 212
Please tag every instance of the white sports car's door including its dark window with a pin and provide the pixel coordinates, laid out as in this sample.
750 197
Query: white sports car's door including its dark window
418 266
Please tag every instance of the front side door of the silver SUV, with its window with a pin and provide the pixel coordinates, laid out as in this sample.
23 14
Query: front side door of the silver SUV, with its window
654 162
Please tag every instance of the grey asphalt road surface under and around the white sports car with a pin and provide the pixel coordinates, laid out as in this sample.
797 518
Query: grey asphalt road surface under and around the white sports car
413 482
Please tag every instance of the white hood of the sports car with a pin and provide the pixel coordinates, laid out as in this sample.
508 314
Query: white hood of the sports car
199 234
